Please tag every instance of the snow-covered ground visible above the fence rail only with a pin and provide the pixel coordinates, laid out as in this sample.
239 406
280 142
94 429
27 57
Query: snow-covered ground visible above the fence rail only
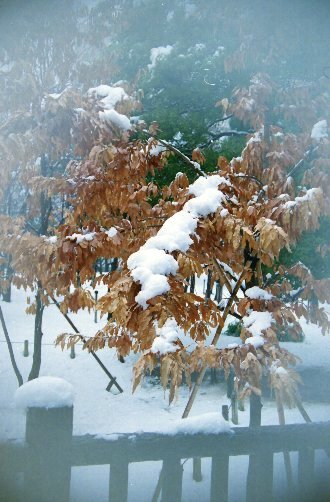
100 412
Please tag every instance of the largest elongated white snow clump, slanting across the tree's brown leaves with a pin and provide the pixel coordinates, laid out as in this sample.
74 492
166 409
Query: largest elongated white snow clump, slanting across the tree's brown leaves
151 264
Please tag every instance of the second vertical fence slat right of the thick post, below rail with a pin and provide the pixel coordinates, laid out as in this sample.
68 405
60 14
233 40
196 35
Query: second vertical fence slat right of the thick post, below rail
172 480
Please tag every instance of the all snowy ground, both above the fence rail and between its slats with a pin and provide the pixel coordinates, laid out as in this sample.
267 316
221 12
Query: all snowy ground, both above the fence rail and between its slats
97 411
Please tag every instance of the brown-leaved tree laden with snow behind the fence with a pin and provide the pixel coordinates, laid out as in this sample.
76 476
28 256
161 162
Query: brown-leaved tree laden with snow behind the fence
233 222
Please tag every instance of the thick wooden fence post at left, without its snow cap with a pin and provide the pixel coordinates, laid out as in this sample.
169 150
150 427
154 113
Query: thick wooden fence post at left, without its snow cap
48 472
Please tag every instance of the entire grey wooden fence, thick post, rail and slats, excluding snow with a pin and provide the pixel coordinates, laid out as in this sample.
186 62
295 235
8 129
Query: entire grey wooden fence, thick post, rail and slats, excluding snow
50 450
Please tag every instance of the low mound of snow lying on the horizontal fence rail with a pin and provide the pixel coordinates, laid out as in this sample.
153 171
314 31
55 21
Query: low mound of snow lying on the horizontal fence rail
208 423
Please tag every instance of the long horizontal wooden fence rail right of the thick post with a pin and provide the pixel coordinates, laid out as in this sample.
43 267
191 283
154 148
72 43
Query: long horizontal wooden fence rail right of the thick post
90 450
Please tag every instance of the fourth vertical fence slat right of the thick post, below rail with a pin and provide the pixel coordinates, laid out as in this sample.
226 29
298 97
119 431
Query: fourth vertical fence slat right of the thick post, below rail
259 484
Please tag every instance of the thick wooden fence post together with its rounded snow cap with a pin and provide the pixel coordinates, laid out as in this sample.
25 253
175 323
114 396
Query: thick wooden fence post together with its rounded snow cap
48 433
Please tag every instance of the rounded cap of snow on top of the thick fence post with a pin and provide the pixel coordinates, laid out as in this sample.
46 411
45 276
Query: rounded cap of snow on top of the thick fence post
44 392
